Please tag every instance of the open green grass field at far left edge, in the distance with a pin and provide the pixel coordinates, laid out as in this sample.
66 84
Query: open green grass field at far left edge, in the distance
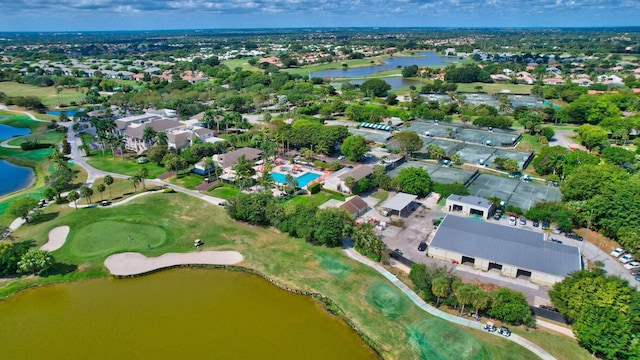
47 95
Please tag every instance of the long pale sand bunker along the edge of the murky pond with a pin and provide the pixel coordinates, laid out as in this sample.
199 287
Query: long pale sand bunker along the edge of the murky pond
129 264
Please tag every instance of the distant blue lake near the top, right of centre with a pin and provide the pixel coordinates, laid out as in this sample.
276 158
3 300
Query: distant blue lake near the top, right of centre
428 58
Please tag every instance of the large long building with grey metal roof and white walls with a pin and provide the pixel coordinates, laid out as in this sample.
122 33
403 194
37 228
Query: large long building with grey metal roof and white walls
514 252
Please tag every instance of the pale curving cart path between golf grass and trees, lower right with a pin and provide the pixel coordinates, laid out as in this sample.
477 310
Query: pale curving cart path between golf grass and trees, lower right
352 253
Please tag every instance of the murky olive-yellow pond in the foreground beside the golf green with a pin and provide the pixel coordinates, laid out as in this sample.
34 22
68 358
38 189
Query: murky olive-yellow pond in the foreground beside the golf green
175 314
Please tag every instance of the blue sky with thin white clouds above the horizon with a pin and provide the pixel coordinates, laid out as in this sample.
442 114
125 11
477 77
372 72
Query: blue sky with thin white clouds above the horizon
85 15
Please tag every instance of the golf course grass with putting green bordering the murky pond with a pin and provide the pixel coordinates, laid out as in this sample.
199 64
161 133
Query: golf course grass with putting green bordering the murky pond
171 222
